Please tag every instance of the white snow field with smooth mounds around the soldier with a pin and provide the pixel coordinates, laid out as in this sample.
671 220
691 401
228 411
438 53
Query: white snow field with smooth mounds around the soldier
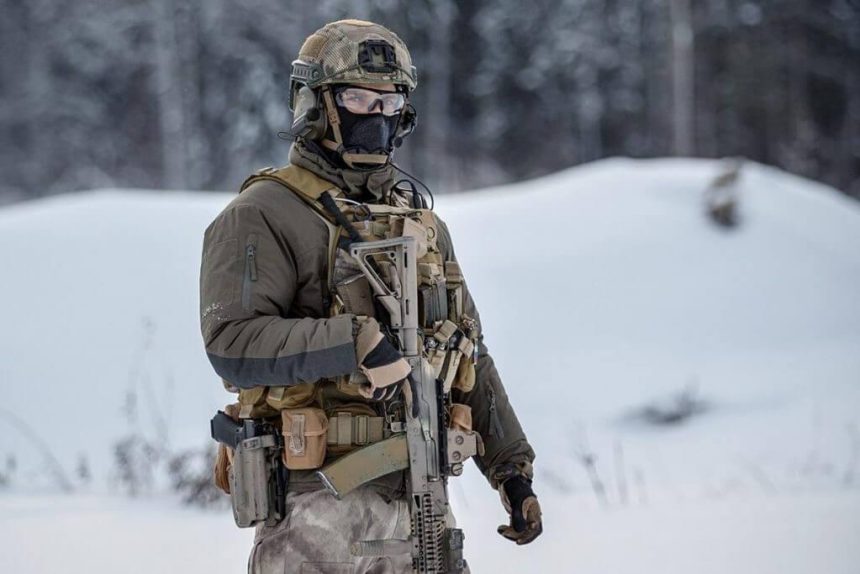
601 288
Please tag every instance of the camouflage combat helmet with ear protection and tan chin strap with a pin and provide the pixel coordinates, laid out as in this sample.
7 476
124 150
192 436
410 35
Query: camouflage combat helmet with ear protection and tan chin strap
347 52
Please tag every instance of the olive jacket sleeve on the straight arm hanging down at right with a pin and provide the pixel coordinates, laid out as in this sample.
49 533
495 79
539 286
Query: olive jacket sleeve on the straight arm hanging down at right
506 448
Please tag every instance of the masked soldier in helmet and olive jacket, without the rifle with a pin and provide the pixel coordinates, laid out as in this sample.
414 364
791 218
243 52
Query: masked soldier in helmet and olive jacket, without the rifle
291 327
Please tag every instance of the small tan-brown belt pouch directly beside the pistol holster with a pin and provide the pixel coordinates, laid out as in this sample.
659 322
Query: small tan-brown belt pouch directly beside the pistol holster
305 433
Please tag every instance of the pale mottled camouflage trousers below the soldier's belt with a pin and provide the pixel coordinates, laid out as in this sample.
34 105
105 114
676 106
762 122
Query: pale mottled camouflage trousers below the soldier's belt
315 536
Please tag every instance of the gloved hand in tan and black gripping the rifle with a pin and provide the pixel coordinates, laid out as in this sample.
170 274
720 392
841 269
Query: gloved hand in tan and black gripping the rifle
381 363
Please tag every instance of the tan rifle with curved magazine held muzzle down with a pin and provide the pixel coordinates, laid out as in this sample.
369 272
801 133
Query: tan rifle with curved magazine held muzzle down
425 445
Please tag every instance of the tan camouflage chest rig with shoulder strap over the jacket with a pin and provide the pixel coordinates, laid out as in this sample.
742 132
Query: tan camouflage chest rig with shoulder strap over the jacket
450 336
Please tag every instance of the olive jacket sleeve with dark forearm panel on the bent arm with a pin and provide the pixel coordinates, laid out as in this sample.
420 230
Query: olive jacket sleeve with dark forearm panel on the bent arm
248 281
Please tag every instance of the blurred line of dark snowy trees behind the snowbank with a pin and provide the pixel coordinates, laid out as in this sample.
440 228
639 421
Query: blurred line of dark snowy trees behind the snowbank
192 93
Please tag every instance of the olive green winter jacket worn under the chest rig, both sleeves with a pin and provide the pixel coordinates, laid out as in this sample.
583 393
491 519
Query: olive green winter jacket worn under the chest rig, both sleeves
264 300
